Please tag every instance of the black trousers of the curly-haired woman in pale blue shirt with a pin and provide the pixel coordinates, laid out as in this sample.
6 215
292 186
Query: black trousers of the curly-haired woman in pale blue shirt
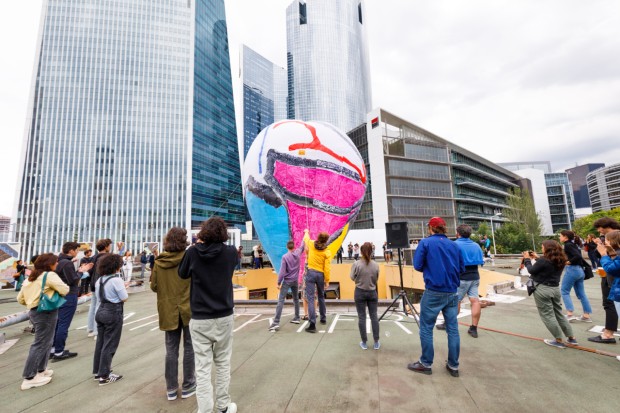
109 320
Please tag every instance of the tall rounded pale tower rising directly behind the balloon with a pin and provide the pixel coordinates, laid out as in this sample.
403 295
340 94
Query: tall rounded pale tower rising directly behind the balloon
328 65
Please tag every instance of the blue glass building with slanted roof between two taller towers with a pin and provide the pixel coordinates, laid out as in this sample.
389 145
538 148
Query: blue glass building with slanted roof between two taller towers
264 94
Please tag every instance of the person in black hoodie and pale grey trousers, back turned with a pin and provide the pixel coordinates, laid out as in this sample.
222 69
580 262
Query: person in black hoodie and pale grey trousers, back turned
210 265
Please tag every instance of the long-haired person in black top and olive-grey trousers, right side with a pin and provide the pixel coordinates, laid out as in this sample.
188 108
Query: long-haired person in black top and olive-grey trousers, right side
546 275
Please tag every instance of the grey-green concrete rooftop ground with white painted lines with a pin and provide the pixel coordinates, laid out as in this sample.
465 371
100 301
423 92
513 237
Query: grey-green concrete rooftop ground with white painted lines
293 371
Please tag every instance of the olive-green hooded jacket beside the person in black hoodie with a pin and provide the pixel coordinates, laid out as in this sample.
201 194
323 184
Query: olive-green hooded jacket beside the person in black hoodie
172 291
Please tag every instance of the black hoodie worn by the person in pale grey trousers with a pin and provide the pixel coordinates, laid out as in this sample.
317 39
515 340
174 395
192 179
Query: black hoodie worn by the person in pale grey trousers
210 267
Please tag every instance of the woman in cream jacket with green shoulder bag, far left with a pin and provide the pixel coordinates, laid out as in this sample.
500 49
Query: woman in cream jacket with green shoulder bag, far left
35 372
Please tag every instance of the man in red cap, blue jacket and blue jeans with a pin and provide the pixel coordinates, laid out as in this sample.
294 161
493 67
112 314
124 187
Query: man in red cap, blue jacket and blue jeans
441 264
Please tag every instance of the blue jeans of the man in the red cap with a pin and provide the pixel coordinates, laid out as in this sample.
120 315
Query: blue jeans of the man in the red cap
434 302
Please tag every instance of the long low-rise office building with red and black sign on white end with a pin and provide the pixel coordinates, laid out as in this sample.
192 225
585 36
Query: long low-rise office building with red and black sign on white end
415 175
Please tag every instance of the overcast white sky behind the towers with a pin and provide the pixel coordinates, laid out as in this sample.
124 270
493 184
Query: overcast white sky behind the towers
511 81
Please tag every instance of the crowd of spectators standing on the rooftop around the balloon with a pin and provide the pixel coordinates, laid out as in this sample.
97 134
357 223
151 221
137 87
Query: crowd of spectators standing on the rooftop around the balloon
195 299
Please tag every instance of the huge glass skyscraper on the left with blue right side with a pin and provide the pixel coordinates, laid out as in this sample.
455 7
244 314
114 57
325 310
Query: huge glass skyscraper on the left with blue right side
131 126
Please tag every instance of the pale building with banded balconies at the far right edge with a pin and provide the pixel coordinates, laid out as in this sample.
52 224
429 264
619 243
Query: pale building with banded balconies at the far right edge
604 188
